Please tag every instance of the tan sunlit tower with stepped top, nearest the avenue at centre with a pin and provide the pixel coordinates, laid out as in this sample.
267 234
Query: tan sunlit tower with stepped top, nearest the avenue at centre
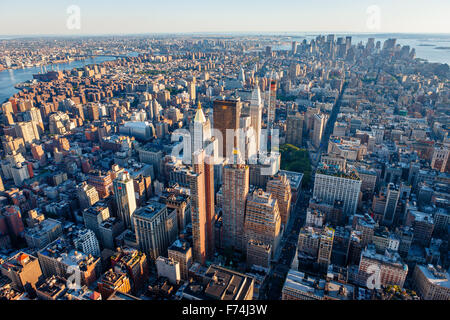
262 219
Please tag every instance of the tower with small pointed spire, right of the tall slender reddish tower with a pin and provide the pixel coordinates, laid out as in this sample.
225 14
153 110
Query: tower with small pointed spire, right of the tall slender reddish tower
235 191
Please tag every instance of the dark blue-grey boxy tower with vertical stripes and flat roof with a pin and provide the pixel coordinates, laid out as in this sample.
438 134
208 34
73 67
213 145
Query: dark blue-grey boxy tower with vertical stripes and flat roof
150 228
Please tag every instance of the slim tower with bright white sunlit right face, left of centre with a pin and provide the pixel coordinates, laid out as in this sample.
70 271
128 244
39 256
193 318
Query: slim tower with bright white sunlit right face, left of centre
125 199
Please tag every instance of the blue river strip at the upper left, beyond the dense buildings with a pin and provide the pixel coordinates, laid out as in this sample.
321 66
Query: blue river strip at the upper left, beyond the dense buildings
9 78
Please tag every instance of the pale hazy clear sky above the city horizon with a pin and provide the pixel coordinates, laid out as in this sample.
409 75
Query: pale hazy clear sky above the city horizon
168 16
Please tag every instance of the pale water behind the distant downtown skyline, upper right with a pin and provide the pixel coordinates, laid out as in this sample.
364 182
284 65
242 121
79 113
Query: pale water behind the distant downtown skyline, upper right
428 52
